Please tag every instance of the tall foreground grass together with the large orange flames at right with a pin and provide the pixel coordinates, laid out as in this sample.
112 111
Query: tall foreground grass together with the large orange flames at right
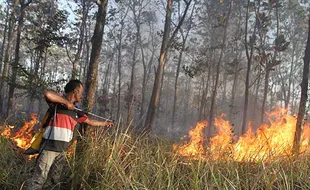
120 160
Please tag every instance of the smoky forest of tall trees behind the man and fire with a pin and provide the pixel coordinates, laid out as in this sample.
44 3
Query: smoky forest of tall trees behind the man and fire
156 65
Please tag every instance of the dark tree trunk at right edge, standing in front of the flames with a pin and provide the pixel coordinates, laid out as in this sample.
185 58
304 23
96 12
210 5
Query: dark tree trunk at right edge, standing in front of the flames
303 97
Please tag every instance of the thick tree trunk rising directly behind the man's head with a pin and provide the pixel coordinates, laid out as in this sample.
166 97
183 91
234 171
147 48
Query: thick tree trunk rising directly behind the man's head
91 80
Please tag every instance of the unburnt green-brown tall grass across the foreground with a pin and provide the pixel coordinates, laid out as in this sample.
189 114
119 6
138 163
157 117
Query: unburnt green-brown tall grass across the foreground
120 160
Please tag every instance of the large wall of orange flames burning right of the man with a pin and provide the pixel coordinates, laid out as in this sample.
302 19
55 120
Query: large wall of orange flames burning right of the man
271 141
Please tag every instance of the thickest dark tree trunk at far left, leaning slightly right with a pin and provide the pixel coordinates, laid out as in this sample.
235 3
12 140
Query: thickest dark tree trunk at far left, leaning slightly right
15 64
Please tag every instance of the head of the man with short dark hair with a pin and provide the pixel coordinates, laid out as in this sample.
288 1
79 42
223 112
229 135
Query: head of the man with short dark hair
74 89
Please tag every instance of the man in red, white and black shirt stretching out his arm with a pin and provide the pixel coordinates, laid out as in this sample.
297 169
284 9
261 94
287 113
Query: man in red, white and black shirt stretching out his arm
59 132
